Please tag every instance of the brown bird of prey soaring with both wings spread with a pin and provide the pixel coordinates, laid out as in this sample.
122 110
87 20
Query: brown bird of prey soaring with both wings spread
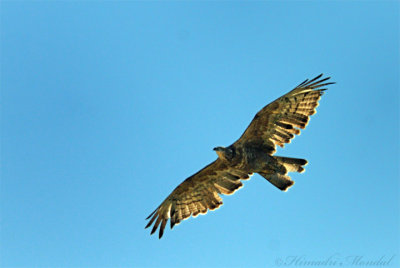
253 152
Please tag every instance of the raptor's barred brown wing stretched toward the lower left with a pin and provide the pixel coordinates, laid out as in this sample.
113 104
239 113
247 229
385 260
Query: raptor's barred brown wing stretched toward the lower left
197 194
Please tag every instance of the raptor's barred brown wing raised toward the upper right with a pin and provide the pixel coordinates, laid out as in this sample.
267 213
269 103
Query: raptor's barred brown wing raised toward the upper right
279 121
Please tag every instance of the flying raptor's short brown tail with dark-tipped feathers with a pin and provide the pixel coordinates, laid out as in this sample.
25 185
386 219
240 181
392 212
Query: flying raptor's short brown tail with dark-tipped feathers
277 175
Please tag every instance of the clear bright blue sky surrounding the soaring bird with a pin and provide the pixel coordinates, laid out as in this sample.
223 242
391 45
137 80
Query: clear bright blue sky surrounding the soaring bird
106 107
